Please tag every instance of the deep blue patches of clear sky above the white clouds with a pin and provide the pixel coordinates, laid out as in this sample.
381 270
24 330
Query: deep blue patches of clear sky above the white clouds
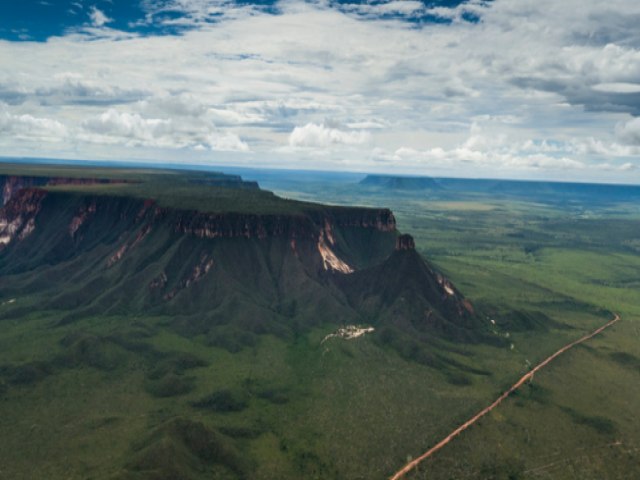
38 20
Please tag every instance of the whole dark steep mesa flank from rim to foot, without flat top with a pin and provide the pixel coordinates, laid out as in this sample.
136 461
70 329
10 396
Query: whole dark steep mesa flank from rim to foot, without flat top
102 254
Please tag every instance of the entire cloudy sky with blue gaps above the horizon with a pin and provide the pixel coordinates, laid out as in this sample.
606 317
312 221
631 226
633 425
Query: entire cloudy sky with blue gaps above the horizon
527 89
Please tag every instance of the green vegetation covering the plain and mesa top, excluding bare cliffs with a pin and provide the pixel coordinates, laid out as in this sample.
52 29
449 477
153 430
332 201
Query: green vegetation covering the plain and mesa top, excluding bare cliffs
119 390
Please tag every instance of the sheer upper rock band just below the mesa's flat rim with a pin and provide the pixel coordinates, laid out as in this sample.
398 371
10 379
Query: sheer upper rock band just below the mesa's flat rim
324 231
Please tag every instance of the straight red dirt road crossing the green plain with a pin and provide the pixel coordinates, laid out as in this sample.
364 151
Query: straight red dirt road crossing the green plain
414 463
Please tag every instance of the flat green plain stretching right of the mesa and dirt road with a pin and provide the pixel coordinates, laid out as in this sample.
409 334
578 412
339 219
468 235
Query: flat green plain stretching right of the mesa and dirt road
566 260
